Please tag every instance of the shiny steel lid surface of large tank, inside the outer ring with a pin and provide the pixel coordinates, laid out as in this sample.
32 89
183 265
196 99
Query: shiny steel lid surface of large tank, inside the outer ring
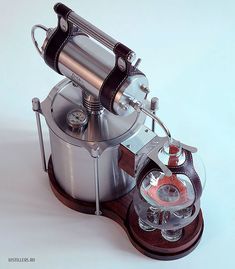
100 127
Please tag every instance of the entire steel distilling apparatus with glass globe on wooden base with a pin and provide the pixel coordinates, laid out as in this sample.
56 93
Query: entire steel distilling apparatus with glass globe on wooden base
104 159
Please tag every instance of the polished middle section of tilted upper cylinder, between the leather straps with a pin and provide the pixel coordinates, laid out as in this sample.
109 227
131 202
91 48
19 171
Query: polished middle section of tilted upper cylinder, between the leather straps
86 63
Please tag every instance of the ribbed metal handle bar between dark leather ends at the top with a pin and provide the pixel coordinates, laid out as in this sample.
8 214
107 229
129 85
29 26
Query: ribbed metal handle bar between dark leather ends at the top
92 30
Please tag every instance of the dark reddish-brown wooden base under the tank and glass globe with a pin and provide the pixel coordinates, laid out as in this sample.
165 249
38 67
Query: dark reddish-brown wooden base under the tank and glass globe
122 211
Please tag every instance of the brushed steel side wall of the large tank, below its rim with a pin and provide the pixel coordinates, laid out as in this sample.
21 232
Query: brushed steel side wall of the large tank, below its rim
74 170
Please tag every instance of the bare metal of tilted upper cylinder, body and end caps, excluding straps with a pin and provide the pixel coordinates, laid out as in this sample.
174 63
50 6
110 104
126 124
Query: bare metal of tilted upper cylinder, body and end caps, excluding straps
88 65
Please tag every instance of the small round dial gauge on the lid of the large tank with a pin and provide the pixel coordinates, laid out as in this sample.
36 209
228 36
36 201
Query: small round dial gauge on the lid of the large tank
77 119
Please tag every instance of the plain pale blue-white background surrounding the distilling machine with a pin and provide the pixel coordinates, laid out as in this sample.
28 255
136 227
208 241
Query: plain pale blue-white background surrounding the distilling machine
187 51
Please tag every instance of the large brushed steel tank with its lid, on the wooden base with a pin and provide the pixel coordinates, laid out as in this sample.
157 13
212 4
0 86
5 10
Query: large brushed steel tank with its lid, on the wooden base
72 157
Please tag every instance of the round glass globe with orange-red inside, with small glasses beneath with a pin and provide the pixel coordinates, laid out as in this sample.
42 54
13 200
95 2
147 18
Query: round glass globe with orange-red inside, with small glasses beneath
171 202
